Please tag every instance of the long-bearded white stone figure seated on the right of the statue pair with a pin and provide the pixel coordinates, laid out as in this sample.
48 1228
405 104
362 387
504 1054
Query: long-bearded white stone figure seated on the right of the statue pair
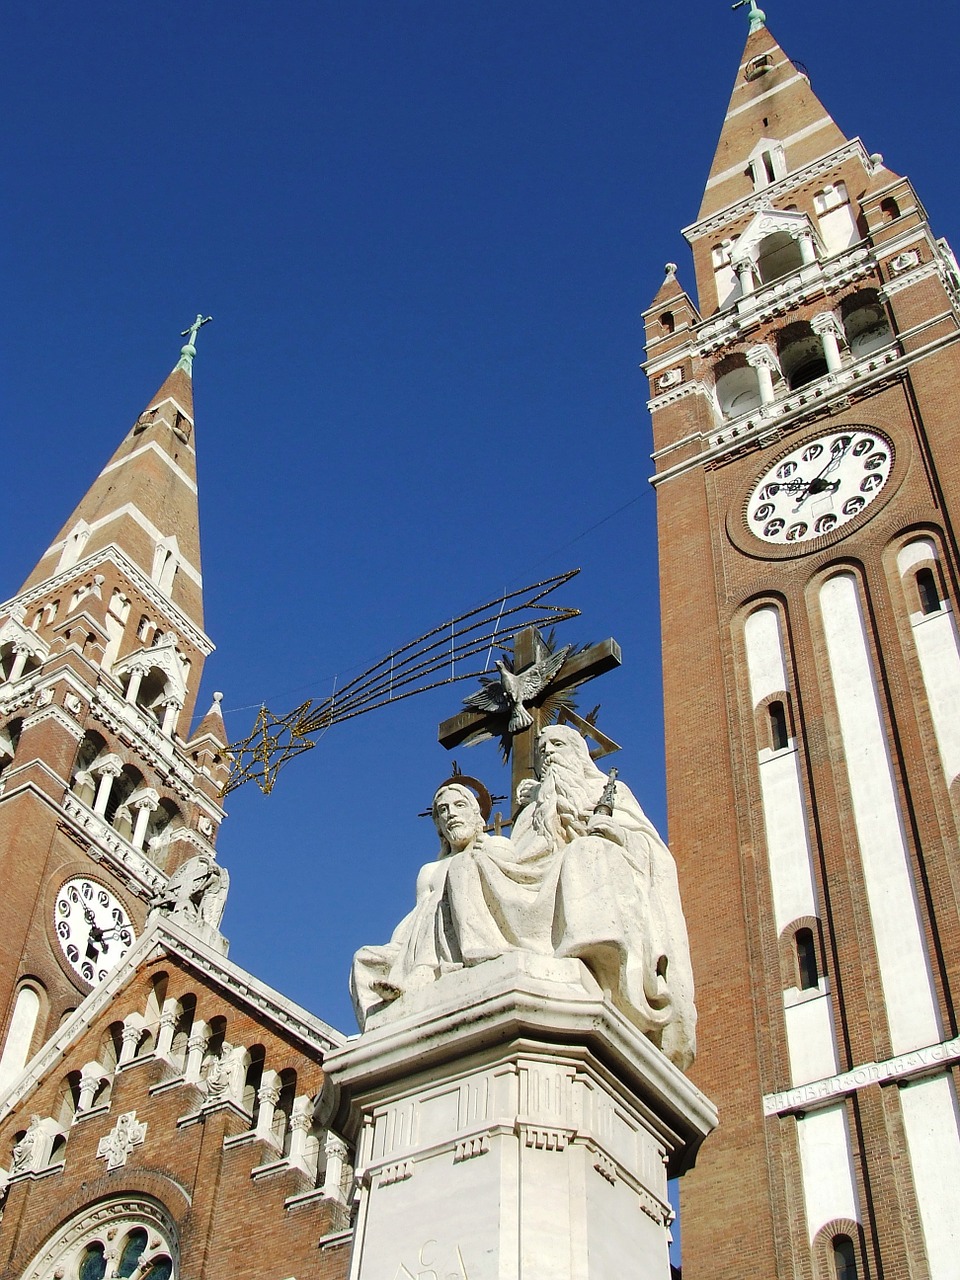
614 889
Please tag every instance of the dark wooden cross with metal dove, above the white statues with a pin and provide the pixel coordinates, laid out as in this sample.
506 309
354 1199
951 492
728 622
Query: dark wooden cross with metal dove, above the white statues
575 671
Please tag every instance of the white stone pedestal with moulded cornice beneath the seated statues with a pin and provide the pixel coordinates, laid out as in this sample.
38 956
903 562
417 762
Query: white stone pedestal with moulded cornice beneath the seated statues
513 1126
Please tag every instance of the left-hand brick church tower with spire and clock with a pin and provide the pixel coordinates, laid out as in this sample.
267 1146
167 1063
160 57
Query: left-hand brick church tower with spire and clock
102 799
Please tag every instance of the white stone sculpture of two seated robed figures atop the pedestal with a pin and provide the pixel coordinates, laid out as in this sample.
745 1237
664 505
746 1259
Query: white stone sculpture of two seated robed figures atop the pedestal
583 876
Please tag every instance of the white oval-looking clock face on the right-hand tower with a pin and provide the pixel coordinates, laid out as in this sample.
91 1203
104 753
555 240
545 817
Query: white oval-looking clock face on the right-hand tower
822 486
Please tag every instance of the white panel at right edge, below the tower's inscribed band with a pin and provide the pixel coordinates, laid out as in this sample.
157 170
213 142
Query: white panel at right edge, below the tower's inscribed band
934 1141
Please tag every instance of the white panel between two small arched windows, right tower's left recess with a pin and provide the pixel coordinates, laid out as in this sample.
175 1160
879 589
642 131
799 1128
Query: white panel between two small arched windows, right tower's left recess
788 844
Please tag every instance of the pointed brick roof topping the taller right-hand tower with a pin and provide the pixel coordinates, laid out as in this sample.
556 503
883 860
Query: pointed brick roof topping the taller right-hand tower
772 102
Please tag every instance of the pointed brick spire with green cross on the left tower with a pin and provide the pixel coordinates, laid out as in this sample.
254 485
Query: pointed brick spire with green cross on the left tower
145 500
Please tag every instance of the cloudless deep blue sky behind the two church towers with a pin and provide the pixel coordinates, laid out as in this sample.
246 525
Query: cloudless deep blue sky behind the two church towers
426 232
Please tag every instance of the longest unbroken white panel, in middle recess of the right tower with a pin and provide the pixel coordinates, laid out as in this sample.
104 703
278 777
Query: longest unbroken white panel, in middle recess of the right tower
906 975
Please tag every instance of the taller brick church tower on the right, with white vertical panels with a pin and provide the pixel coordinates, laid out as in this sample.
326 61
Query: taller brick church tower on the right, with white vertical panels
808 488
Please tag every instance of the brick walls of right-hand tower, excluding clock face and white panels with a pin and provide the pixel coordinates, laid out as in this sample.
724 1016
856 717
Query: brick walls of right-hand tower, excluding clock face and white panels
751 1205
